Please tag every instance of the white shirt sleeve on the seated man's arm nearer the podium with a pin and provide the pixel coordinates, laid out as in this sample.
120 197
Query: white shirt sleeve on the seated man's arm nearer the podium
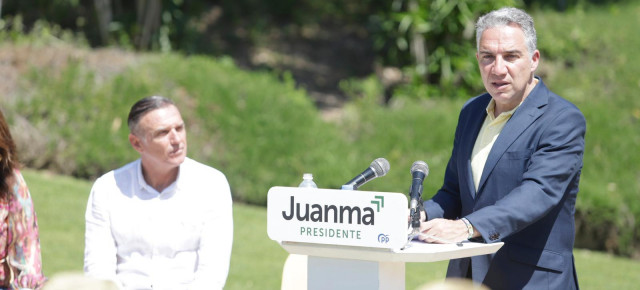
216 241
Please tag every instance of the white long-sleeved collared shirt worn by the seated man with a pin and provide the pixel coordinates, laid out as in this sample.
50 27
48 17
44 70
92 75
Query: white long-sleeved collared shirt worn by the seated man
179 238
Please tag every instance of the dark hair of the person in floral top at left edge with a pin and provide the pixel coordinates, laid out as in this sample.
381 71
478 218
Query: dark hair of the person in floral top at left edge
8 158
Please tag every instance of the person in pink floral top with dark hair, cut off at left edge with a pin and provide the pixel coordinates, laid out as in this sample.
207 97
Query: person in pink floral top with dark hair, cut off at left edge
19 240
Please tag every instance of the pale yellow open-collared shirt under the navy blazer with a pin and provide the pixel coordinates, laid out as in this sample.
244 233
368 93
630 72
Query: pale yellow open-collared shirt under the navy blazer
489 132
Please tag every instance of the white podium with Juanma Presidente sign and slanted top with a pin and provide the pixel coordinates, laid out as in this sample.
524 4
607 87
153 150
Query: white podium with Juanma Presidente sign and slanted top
353 239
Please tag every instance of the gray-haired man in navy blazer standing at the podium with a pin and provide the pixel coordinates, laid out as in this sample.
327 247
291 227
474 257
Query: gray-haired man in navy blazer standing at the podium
514 168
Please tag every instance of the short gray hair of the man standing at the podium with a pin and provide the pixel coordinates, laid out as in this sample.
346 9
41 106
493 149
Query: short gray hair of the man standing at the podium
507 16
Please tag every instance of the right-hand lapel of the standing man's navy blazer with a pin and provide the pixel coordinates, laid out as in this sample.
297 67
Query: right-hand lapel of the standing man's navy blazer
524 116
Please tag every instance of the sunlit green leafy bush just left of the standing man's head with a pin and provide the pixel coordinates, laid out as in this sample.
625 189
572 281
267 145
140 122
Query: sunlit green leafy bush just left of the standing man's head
434 39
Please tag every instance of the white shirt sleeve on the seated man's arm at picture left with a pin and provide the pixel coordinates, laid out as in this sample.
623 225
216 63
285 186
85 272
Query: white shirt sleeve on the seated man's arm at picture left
100 250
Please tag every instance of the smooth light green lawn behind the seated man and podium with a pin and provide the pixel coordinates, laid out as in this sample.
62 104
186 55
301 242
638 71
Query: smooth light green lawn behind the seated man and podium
256 261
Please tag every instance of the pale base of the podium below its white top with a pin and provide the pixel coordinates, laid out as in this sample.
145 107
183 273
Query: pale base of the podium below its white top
331 273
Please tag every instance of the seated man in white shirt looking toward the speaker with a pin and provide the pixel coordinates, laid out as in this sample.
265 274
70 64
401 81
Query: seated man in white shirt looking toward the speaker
163 221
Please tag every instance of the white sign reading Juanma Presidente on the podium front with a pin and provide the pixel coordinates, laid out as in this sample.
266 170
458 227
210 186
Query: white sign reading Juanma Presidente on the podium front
337 217
